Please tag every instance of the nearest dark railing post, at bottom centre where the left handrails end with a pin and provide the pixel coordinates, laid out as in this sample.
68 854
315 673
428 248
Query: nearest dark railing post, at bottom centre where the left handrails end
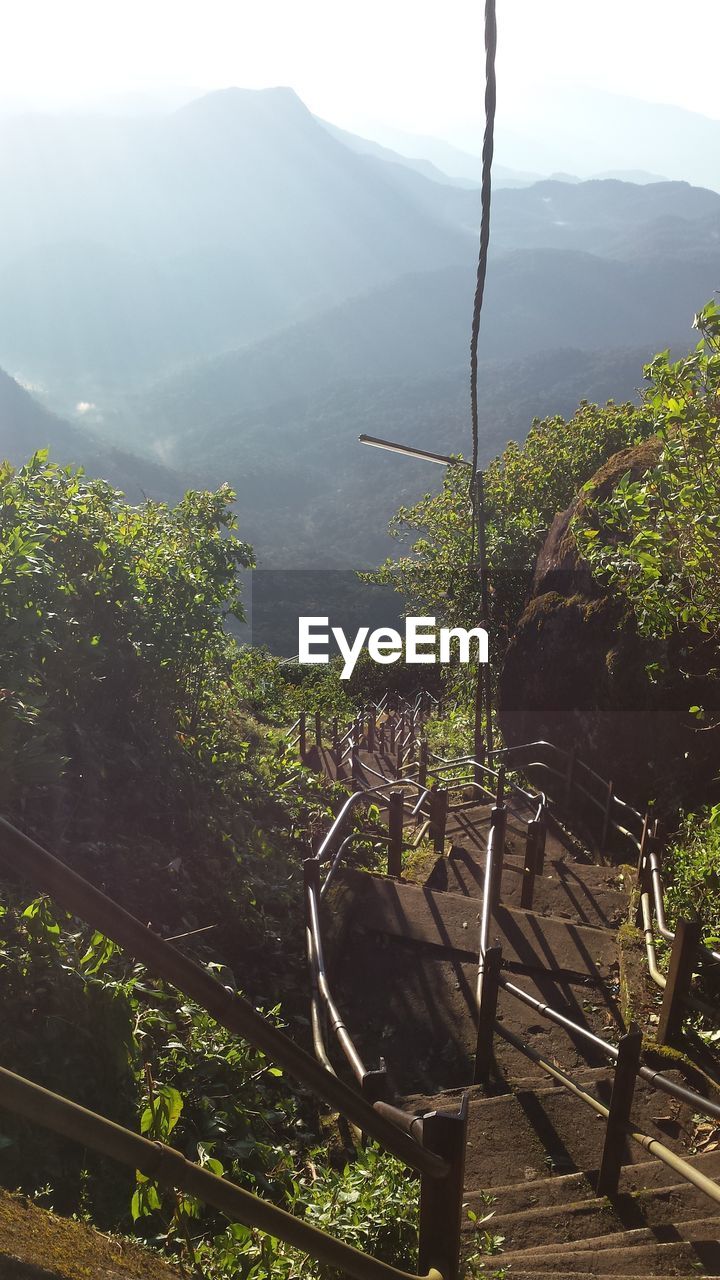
441 1199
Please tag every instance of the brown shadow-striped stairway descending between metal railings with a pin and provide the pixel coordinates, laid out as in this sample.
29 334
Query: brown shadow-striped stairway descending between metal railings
405 972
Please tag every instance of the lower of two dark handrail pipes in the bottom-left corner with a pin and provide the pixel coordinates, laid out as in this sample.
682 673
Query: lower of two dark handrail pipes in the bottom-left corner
168 1167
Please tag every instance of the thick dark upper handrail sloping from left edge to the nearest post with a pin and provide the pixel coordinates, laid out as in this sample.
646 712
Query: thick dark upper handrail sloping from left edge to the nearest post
76 895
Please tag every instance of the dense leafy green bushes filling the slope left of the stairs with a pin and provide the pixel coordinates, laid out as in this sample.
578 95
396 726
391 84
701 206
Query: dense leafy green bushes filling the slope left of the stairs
130 744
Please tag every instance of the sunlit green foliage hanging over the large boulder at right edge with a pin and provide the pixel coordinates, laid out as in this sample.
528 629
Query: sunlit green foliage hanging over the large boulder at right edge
657 540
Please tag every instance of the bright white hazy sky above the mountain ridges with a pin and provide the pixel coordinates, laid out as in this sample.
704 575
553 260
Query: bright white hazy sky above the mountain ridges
412 65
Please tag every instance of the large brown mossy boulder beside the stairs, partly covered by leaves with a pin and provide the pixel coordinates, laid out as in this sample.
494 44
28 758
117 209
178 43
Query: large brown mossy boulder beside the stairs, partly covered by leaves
577 674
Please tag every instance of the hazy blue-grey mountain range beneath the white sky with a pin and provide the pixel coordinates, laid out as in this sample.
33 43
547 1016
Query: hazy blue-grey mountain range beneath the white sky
236 290
